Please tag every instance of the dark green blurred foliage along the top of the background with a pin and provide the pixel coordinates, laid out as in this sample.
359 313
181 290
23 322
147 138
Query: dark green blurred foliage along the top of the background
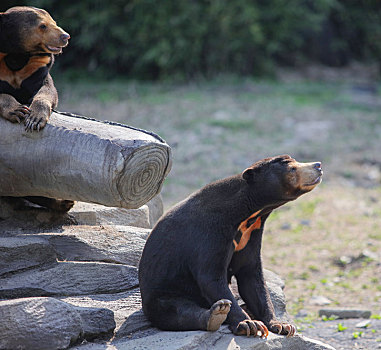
183 39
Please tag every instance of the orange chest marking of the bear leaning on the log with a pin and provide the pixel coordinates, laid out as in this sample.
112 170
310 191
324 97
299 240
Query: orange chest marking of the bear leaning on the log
15 78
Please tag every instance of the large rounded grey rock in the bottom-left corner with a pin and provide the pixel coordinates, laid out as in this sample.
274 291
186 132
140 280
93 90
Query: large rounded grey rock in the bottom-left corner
38 324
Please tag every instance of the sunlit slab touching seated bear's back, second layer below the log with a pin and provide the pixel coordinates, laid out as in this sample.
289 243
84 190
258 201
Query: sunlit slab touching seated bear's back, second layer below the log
117 244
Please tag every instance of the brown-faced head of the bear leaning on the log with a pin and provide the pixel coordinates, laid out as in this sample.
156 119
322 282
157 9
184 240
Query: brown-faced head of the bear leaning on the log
30 30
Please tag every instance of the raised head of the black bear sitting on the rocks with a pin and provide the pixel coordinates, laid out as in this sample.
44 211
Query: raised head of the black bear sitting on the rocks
282 178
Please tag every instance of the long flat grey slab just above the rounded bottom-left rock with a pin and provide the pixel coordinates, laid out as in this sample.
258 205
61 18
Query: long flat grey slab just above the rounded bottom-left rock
70 278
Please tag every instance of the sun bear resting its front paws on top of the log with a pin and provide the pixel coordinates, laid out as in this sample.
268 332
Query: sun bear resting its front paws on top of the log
29 39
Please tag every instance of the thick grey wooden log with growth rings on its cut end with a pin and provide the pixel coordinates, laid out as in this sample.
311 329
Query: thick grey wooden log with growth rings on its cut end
79 158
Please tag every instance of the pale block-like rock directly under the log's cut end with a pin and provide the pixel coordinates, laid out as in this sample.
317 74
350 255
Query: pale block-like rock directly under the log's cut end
95 214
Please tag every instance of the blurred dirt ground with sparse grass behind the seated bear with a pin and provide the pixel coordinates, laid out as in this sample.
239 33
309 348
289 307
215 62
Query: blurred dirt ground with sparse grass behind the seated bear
325 244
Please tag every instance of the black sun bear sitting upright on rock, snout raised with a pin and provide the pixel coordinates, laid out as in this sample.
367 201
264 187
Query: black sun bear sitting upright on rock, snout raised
214 234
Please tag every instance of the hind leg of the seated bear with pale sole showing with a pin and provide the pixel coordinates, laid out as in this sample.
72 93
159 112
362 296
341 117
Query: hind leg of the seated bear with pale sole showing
180 314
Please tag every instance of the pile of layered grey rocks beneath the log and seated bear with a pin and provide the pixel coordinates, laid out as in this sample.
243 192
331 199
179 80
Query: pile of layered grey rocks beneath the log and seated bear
72 282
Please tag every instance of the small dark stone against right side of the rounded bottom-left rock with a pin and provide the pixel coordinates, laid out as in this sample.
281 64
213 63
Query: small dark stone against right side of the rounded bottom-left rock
96 322
